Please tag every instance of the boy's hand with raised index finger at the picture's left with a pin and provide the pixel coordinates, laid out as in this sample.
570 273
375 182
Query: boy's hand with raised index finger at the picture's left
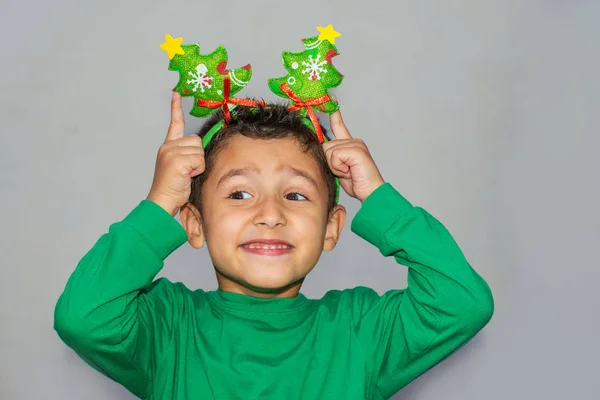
179 160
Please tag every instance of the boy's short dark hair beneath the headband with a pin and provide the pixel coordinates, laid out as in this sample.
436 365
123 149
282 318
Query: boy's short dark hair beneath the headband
273 121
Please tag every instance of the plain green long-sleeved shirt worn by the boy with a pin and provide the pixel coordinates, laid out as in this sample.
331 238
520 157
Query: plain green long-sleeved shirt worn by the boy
162 340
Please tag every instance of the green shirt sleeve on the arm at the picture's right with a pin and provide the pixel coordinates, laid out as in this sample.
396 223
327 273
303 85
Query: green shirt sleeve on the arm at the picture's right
446 303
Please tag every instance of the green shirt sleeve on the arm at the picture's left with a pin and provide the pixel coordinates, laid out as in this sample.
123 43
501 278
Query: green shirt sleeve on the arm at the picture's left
111 313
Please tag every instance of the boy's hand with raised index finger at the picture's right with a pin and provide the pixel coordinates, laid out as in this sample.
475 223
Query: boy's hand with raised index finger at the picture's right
350 160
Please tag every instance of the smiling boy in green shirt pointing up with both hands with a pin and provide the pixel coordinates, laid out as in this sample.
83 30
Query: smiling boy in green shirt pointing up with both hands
261 196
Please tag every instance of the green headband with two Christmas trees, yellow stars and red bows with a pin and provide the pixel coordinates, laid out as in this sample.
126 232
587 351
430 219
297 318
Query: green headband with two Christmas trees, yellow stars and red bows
206 78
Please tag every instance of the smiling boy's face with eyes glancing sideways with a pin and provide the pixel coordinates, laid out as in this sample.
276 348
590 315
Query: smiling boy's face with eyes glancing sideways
261 191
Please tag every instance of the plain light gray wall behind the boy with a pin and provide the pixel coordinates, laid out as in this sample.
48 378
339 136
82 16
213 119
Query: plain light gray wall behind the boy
486 113
